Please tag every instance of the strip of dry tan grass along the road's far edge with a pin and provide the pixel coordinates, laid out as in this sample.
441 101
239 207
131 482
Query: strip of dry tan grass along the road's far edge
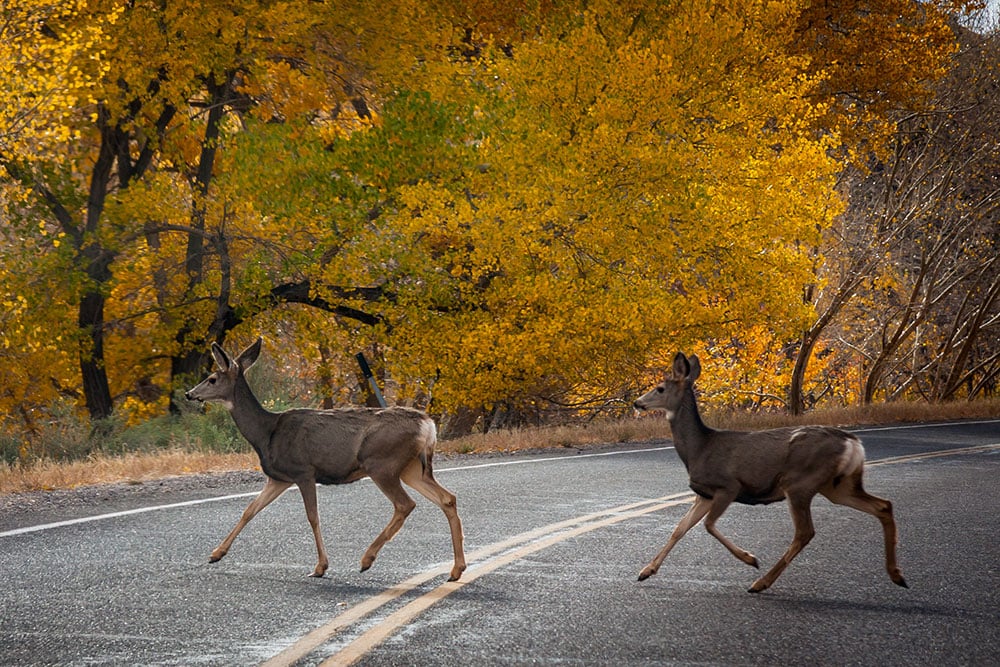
138 468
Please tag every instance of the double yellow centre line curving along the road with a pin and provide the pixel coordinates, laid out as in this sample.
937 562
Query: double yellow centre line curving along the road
487 560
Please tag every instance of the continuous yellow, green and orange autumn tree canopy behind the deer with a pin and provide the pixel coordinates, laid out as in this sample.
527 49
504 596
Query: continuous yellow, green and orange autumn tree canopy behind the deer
520 204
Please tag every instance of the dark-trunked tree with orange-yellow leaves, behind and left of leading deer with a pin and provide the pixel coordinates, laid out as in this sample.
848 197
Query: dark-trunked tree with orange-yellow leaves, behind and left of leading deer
140 148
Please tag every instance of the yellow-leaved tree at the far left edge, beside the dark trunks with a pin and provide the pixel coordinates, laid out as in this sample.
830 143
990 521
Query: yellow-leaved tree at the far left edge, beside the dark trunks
50 59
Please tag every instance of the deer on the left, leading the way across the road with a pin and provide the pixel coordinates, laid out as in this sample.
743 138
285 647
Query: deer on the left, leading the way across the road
306 447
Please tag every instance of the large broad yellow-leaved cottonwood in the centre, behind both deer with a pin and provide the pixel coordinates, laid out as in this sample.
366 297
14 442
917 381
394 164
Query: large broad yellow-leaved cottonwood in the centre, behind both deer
523 227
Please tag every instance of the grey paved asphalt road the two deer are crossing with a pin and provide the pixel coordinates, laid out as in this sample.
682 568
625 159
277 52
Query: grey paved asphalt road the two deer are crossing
555 543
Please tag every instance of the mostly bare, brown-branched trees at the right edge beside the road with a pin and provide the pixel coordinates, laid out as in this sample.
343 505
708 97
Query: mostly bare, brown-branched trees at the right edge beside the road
912 281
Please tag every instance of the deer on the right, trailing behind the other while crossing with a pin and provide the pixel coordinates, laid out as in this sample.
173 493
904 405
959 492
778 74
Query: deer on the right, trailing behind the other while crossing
758 468
